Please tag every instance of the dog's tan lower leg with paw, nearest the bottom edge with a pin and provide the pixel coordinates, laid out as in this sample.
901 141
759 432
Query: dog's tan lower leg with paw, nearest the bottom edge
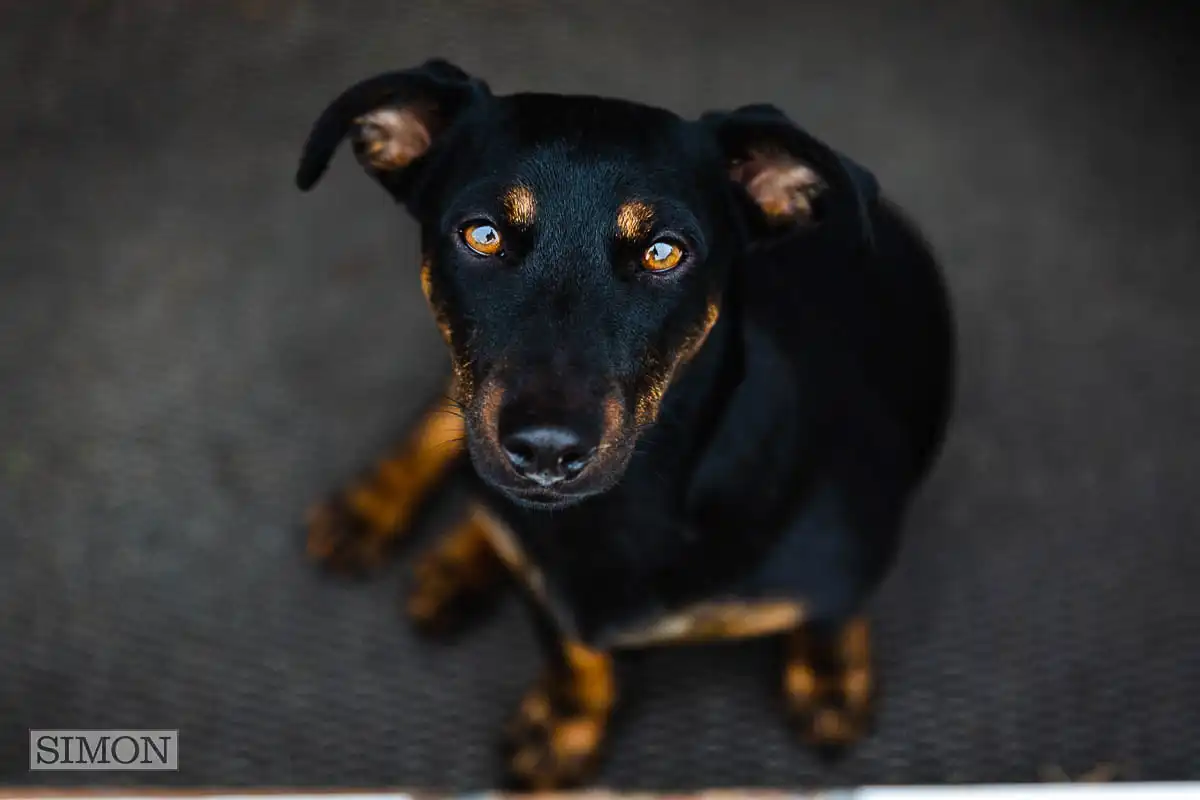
557 737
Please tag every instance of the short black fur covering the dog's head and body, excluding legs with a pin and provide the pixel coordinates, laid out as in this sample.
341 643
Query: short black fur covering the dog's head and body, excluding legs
793 432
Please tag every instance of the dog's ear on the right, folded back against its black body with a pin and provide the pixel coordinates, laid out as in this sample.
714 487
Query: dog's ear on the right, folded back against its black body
795 181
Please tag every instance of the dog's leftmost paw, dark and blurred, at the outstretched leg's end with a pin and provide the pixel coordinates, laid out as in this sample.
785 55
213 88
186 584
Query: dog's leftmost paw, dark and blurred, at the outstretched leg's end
344 540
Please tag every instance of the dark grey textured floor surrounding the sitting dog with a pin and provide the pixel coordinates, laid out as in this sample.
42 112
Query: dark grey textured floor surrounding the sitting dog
191 353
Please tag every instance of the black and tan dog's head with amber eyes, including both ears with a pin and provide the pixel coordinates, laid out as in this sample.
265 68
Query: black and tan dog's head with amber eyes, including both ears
575 250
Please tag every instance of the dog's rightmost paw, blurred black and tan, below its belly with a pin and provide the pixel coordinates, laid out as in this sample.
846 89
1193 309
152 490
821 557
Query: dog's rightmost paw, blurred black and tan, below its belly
830 687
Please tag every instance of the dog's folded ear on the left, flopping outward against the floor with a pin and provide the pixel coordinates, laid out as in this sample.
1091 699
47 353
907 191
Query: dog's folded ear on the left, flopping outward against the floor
393 122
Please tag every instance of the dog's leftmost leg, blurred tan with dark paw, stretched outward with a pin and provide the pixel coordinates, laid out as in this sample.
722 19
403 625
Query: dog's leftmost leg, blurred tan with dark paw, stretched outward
355 530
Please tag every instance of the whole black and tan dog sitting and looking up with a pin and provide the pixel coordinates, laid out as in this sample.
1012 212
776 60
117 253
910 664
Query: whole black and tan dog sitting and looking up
700 369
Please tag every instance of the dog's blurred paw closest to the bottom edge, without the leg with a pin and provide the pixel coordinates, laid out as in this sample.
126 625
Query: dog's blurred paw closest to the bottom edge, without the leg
553 743
